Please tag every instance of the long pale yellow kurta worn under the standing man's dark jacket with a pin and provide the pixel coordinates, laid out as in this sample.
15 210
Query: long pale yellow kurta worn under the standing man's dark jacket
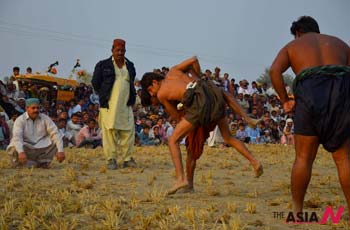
119 116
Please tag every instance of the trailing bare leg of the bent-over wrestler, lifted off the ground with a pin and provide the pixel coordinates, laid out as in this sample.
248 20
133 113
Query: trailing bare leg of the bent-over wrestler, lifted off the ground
240 147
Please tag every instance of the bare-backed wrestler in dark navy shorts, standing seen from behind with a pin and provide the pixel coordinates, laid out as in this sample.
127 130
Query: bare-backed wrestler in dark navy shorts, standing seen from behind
322 102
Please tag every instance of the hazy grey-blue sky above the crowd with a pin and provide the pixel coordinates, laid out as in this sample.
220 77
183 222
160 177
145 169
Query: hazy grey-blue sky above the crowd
242 37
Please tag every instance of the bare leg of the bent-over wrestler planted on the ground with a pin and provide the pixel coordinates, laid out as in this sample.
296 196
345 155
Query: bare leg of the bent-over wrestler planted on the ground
180 131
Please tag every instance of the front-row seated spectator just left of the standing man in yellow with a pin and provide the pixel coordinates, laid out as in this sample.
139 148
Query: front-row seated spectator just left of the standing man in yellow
89 135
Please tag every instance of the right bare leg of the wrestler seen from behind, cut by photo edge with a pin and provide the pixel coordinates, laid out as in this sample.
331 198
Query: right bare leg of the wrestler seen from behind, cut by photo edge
341 158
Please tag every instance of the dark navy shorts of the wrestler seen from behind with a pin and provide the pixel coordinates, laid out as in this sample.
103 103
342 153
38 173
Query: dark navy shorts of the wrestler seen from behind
323 109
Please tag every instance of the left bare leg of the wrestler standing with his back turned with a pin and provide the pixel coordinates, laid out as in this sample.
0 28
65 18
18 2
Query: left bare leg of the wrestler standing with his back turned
305 154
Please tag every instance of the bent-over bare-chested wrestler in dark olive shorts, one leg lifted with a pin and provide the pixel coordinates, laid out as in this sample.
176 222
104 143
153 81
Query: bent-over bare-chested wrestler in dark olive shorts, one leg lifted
204 104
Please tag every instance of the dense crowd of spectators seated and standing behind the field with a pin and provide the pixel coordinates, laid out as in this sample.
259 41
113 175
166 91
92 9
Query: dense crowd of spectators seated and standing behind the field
77 119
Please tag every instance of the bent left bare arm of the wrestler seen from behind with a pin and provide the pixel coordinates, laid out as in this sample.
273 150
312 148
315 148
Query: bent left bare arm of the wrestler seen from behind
278 67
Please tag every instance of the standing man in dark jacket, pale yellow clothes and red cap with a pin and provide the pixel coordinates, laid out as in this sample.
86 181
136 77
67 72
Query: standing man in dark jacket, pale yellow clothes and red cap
113 81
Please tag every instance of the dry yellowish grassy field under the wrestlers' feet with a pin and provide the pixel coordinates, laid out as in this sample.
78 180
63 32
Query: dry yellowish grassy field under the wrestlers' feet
82 194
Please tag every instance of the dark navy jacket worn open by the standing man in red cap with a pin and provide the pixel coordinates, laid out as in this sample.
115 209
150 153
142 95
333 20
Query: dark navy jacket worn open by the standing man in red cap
104 77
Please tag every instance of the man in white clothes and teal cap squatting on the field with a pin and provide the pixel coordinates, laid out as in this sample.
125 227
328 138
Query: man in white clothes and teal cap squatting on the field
35 139
